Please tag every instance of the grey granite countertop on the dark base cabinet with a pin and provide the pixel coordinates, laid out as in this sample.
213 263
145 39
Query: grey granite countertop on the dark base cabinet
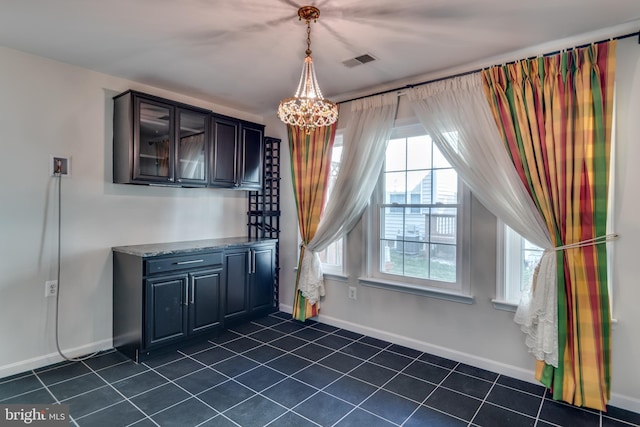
171 248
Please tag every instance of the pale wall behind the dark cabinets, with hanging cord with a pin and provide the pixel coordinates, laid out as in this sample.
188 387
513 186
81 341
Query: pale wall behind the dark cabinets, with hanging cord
51 108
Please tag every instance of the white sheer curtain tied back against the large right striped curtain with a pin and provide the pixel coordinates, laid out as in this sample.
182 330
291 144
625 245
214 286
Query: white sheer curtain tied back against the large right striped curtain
457 116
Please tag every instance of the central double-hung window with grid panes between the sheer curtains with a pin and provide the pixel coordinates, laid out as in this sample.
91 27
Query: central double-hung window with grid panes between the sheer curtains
419 218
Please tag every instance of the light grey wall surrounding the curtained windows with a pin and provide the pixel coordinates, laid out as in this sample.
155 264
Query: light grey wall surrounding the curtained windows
479 334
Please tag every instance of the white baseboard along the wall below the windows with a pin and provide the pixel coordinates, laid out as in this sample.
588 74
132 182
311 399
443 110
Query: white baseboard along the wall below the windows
617 400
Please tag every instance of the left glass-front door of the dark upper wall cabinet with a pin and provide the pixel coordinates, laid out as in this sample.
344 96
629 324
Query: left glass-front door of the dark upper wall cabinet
154 155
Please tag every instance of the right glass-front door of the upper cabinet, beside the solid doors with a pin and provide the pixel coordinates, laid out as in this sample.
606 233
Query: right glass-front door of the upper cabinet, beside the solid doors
192 147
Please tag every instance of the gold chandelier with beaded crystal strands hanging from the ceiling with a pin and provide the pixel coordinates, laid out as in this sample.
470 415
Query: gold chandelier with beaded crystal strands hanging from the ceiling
307 108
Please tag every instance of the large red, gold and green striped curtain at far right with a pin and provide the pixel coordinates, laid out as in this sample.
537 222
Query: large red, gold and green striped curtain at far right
555 116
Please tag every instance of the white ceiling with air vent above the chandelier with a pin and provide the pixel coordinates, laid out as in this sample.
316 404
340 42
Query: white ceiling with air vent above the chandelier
247 54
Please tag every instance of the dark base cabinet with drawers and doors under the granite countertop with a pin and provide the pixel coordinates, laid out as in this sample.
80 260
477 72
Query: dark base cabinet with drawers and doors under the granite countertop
161 302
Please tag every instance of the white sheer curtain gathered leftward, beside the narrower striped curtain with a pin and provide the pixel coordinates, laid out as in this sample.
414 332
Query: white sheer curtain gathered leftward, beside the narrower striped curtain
363 153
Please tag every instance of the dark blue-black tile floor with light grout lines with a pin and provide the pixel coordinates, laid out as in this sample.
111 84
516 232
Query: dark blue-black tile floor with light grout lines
277 372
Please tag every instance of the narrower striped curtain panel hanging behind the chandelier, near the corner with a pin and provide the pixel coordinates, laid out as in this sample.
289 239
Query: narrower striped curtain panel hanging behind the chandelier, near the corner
310 165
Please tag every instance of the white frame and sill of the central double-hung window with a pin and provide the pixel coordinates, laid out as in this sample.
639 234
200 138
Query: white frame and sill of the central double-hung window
459 290
